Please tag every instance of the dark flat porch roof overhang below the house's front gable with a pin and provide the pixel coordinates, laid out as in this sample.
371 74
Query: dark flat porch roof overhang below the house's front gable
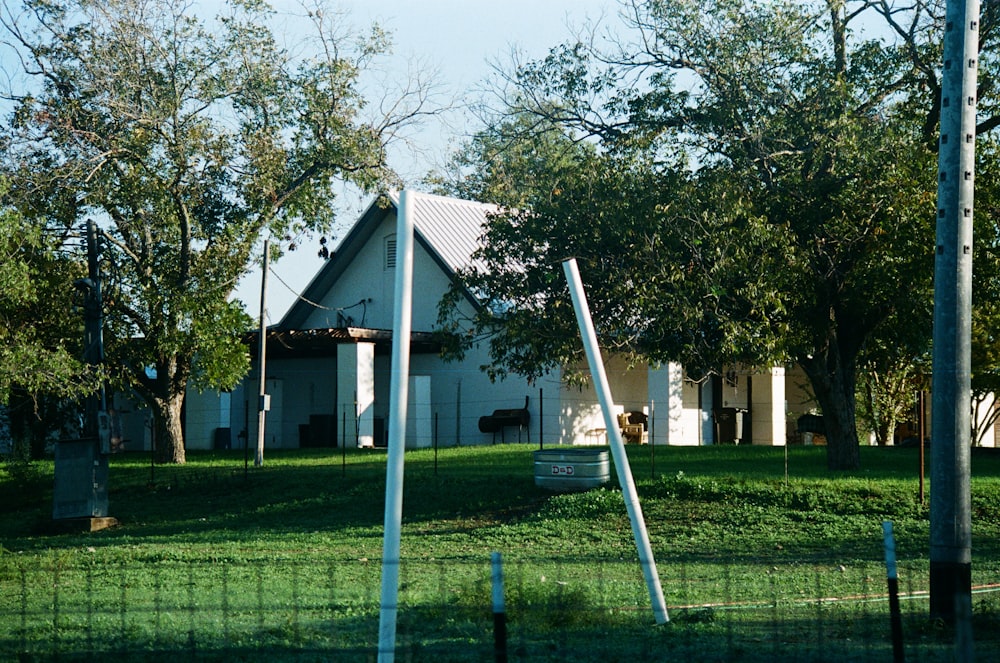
299 343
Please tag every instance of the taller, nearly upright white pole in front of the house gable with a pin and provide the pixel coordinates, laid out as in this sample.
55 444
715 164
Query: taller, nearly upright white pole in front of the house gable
402 320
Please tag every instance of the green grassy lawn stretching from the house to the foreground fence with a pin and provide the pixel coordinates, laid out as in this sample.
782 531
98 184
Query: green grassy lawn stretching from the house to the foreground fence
761 555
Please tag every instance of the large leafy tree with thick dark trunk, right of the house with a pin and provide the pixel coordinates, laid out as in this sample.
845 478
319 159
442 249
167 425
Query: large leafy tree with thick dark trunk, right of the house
805 199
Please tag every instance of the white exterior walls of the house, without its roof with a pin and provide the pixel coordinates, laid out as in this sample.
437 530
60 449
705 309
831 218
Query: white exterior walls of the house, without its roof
449 398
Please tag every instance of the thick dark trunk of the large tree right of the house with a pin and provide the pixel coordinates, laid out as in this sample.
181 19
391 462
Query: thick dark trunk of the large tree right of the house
834 385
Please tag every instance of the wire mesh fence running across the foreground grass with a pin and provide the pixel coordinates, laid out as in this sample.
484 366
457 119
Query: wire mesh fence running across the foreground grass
73 607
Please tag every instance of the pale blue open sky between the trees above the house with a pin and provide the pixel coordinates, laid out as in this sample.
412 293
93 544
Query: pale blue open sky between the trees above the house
459 39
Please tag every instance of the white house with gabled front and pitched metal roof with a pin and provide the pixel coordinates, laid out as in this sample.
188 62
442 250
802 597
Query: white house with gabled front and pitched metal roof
328 365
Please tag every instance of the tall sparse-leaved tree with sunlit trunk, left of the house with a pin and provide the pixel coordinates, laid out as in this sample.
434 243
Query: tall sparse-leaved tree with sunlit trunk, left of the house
187 140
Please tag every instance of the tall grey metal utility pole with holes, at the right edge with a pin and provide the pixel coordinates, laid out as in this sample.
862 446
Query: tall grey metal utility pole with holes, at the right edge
951 550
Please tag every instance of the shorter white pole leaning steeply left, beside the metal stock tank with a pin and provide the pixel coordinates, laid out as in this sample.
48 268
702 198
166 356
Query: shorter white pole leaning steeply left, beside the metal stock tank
589 337
